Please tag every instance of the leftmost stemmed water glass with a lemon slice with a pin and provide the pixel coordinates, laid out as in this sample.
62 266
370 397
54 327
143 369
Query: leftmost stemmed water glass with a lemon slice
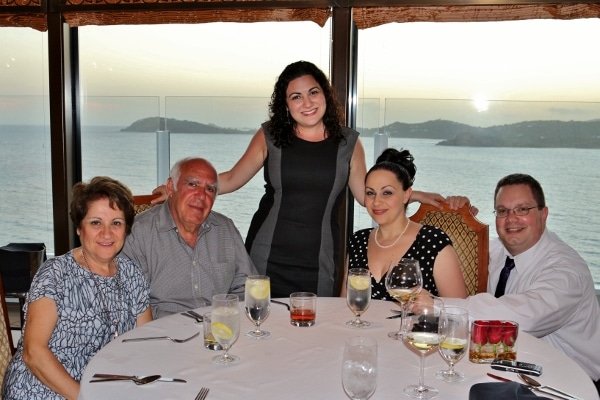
225 325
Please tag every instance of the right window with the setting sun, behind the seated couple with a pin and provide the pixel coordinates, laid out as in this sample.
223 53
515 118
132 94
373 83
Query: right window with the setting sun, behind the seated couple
510 80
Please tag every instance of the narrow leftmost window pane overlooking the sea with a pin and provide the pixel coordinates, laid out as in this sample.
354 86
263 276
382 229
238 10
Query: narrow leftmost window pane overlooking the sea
26 195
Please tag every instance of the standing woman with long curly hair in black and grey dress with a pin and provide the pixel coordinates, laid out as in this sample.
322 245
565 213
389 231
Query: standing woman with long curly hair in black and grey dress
309 159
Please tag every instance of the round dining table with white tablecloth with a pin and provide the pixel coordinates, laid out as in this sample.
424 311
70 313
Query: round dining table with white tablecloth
299 362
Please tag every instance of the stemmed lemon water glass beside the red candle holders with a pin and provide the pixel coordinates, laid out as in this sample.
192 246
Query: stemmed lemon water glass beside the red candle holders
454 346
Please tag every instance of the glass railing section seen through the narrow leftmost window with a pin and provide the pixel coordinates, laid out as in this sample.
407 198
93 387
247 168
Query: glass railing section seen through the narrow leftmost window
26 179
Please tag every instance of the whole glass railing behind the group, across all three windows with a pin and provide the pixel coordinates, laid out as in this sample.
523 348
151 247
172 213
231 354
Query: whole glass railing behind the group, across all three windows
119 140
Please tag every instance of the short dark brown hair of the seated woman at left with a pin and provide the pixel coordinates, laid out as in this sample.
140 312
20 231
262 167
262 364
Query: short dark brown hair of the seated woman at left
102 187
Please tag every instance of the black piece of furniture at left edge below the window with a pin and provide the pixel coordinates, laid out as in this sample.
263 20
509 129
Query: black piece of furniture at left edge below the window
18 264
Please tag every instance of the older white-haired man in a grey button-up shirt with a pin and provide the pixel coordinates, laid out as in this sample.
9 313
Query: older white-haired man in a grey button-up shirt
187 251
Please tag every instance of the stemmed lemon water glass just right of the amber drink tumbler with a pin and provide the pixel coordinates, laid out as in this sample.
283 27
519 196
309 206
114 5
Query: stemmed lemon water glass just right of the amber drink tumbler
358 295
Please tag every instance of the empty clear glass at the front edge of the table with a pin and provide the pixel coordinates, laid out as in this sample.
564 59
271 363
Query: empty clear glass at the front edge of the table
359 367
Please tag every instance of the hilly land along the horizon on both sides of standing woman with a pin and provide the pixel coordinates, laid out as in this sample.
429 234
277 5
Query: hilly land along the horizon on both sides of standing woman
535 134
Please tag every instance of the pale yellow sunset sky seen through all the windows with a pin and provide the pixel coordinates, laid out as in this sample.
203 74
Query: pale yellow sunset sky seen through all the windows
493 72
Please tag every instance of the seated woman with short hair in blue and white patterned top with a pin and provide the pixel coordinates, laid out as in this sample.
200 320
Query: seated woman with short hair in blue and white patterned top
80 301
